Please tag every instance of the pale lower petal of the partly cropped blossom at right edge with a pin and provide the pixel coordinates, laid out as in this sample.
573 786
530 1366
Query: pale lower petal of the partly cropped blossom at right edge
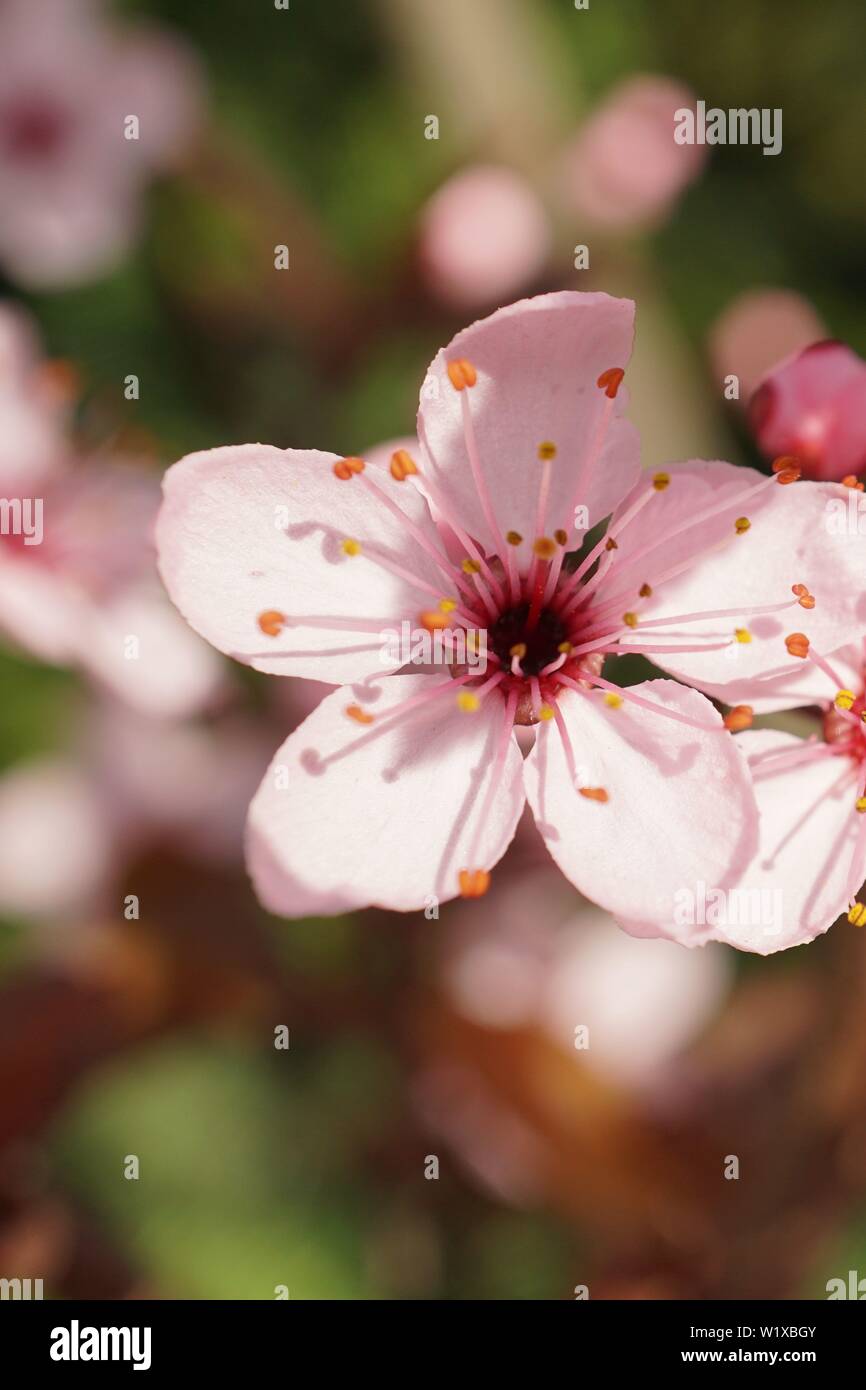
804 881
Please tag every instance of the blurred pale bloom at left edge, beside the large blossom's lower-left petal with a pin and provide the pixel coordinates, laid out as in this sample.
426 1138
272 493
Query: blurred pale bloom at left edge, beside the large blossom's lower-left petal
69 824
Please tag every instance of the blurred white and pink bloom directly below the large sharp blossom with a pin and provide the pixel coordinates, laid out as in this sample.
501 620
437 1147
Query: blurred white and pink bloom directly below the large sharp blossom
534 958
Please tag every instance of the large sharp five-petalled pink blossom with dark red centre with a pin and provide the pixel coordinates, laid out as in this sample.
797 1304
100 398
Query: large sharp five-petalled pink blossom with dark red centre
408 785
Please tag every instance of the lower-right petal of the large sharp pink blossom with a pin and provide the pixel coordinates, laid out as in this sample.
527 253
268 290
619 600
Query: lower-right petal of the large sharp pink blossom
679 806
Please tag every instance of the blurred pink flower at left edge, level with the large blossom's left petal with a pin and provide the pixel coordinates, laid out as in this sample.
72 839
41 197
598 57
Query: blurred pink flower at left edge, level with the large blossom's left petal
79 582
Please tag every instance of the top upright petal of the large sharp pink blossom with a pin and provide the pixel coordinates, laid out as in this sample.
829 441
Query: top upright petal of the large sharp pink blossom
537 363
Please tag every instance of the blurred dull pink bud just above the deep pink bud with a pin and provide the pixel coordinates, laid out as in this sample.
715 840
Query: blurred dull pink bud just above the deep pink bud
757 332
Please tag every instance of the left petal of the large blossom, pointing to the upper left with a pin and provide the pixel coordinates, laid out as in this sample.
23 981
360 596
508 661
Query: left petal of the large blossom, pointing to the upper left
250 530
